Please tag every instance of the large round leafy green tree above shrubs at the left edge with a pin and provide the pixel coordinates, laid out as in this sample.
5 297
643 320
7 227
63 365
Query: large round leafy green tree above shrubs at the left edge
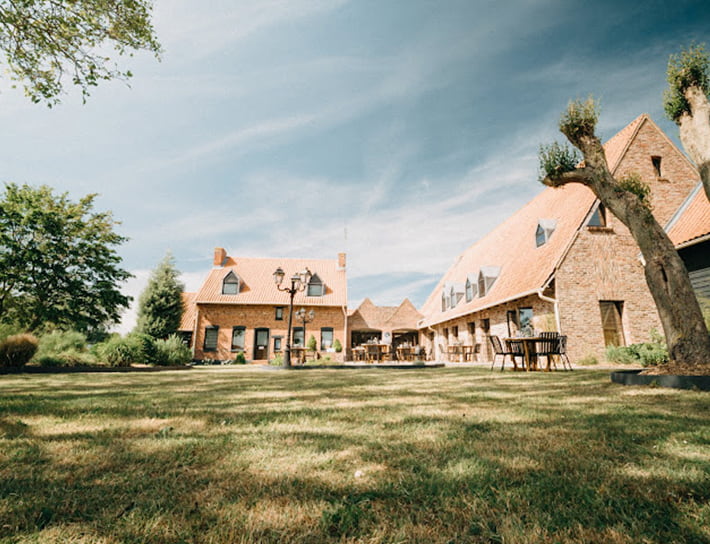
58 264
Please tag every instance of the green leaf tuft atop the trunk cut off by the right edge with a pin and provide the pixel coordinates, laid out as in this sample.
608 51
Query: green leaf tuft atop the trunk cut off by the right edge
686 69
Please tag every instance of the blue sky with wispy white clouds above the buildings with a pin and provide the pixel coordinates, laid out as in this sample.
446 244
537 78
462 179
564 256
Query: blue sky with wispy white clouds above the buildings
399 132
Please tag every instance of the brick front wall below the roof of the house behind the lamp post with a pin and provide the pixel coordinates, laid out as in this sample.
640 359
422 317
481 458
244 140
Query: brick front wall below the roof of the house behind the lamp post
260 316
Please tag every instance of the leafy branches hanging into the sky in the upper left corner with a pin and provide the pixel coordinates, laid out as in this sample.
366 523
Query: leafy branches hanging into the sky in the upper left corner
46 41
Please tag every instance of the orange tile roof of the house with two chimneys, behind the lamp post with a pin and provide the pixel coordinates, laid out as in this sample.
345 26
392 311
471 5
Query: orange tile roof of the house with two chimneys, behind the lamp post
256 282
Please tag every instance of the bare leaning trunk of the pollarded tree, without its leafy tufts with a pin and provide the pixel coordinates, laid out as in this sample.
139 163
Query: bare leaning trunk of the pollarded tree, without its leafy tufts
666 275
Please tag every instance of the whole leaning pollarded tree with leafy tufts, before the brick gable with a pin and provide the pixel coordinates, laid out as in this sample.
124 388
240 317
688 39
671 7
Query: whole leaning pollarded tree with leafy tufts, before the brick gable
666 276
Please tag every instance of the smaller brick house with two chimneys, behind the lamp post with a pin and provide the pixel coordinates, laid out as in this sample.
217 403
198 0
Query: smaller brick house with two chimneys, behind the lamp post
239 309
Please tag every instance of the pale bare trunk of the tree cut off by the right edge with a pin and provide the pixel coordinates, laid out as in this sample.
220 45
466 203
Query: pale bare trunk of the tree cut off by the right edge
695 133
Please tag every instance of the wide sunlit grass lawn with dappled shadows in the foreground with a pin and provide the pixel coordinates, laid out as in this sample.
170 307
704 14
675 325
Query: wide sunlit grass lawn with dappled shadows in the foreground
453 455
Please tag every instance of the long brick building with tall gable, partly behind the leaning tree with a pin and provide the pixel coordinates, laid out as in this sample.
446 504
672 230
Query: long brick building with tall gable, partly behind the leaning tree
562 263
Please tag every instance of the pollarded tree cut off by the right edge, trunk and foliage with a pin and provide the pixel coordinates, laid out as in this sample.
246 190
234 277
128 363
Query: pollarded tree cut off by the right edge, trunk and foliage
686 103
